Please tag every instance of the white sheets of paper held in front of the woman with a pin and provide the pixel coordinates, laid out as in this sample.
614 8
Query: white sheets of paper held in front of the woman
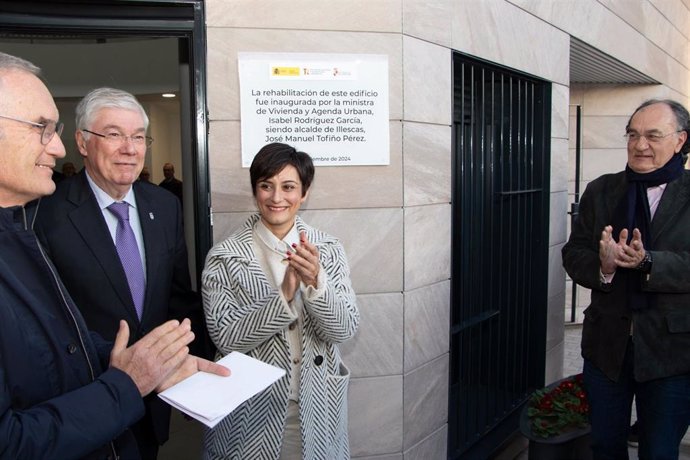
209 398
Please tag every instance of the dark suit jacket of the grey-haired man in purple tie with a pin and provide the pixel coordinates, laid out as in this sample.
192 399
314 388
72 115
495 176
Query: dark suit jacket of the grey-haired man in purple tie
72 230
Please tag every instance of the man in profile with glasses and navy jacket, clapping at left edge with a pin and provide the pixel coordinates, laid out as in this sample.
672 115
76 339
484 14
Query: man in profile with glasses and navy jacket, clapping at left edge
65 393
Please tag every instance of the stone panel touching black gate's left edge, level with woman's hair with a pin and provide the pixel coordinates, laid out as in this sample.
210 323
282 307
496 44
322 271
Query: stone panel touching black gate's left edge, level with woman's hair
427 165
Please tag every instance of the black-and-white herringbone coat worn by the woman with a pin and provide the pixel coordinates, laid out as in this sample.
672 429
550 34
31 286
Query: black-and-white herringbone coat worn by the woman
245 313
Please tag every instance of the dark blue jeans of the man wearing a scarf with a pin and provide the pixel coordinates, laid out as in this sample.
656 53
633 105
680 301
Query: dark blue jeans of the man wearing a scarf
663 412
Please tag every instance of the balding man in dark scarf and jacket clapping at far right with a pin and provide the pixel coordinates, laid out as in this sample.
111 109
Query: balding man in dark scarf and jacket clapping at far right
630 246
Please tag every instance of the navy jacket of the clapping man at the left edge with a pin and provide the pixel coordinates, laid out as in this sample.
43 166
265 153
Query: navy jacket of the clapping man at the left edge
56 402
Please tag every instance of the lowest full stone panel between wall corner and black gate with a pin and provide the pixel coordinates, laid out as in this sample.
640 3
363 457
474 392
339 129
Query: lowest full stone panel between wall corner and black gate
425 401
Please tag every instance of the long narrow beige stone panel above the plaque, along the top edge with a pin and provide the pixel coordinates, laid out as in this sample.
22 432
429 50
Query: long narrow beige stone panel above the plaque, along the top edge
351 15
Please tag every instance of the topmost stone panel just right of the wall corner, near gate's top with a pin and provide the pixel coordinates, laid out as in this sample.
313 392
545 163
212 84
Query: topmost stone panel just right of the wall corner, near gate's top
428 20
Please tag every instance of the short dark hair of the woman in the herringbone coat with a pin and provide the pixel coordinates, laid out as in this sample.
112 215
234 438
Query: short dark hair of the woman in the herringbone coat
272 158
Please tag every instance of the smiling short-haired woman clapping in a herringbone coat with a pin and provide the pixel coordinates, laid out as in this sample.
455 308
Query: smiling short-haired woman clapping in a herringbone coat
280 291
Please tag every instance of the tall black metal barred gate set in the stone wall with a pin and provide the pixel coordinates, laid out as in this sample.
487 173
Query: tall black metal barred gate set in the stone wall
500 224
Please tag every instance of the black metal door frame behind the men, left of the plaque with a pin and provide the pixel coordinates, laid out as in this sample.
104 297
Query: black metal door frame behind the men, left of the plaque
141 18
